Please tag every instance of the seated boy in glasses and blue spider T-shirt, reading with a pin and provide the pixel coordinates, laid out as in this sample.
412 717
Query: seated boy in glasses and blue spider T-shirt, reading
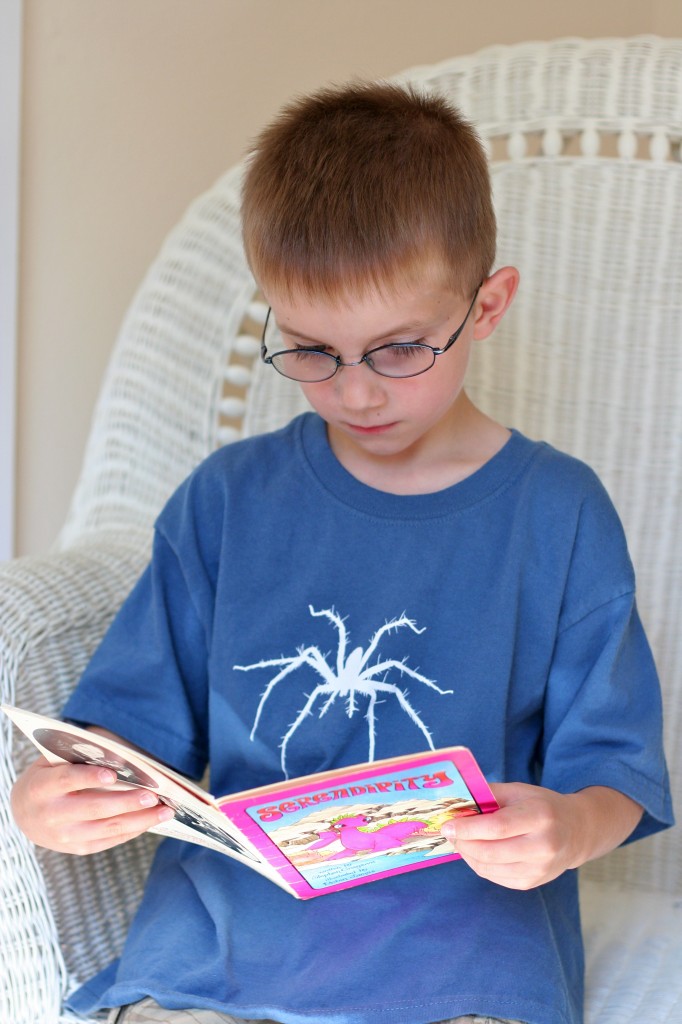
490 571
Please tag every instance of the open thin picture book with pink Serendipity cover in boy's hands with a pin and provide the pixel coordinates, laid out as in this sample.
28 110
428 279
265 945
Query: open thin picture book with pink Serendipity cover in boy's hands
312 836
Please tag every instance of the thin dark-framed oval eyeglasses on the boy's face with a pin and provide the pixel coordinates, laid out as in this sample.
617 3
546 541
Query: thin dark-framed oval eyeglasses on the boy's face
399 360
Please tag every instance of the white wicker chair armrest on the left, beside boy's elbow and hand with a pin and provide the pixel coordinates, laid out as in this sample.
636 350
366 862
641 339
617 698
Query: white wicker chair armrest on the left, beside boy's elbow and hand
54 612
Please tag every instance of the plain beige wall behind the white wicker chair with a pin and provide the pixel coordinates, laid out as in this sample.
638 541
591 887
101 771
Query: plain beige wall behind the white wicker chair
134 107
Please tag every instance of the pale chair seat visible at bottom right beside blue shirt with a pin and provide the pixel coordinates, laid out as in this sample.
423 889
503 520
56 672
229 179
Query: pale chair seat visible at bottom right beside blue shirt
633 947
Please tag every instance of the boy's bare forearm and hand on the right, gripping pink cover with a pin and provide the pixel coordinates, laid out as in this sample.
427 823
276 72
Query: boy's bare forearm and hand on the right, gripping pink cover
539 834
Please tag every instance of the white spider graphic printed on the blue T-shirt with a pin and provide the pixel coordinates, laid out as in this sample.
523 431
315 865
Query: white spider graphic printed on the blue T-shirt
353 676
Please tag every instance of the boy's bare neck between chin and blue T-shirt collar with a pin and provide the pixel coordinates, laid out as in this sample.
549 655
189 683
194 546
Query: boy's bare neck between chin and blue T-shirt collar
458 452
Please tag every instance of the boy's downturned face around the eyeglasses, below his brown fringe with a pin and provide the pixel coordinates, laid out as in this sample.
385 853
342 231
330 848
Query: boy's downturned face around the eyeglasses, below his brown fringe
395 425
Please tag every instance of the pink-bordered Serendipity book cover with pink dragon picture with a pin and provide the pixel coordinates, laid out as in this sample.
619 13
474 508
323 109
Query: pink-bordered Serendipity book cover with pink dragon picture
348 827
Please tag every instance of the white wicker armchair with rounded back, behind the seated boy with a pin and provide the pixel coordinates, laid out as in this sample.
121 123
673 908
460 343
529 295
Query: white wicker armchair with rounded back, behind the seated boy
585 143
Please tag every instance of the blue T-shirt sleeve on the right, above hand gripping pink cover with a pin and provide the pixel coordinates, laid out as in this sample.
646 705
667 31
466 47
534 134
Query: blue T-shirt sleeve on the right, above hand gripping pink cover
604 718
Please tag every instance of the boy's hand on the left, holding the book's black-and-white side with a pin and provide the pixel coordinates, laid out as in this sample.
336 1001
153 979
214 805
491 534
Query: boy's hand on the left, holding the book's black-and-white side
77 809
